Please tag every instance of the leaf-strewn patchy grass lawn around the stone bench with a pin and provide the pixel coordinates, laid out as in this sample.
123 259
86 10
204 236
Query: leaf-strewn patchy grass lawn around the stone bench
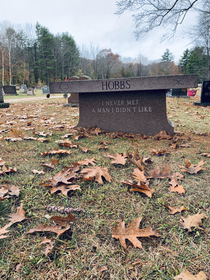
87 250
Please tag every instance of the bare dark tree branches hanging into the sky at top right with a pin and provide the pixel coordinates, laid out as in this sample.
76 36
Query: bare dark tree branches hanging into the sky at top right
149 14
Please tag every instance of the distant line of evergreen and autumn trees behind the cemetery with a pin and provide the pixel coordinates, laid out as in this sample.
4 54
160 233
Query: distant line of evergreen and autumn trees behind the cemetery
34 56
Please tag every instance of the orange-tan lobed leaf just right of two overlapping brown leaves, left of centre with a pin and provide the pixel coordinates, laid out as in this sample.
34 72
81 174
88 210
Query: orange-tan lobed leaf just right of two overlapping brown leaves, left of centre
96 173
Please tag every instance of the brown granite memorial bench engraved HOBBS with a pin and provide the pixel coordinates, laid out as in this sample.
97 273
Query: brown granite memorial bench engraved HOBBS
131 105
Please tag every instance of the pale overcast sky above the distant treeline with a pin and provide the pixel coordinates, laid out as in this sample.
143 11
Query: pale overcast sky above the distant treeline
92 21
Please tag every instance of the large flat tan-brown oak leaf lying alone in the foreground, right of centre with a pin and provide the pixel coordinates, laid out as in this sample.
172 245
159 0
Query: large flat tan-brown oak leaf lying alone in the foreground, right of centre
132 232
